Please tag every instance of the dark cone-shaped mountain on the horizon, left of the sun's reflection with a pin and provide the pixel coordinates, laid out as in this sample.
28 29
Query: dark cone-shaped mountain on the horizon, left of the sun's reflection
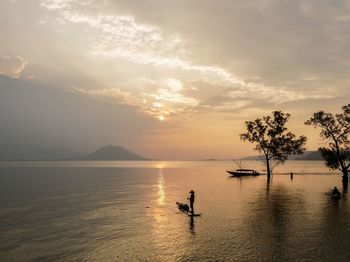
112 153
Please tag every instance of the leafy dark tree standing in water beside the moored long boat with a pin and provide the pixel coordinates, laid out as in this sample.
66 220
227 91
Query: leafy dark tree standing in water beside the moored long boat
272 139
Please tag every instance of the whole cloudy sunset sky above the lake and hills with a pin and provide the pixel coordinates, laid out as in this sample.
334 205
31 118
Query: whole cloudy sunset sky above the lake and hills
168 79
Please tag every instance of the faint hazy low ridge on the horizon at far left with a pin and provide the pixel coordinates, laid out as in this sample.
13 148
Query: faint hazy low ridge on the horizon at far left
31 152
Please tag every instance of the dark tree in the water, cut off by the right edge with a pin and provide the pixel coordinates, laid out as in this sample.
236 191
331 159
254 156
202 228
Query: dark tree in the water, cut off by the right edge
335 130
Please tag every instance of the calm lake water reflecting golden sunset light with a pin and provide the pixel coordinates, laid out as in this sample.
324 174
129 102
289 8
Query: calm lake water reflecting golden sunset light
126 211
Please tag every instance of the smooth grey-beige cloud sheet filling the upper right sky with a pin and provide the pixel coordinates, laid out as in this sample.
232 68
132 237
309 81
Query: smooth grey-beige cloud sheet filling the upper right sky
277 41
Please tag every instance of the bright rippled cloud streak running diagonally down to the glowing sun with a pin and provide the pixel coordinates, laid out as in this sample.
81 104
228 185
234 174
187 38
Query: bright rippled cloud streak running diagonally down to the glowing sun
115 38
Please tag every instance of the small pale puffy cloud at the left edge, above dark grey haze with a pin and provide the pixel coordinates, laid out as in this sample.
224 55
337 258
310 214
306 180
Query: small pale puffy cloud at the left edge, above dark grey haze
12 66
